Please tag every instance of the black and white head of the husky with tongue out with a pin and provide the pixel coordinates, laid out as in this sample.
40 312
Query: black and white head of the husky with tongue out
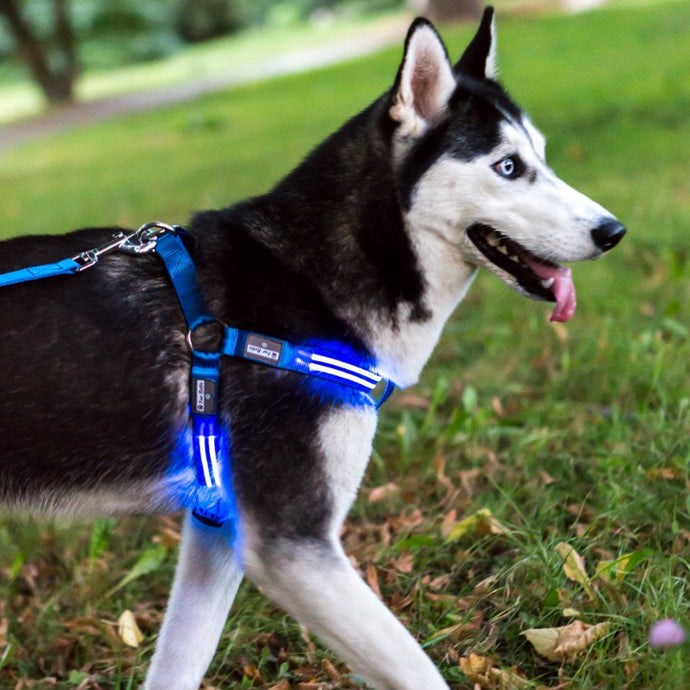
472 173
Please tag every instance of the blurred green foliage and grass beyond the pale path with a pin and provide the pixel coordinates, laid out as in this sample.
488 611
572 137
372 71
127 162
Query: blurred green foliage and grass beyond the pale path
114 34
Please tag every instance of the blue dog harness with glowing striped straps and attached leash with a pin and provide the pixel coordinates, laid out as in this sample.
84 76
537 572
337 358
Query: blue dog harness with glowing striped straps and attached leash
214 501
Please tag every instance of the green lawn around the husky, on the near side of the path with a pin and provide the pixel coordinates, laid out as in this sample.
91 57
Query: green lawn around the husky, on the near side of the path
574 434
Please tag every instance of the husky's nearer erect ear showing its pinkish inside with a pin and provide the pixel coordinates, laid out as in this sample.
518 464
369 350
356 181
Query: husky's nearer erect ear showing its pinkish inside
425 80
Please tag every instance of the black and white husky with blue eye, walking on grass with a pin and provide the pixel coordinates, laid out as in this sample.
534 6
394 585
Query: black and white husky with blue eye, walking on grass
368 246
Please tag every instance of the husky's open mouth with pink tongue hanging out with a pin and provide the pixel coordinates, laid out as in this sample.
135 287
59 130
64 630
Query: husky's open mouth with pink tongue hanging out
538 277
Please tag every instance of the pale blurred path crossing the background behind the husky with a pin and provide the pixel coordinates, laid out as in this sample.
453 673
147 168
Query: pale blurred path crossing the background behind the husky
369 40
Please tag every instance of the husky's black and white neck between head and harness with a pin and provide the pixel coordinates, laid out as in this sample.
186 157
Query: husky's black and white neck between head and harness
336 219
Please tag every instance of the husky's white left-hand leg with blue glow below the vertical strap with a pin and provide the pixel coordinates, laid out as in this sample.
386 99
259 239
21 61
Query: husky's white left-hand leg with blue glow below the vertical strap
206 581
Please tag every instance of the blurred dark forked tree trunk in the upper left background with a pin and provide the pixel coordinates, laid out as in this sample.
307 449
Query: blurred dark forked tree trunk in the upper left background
53 63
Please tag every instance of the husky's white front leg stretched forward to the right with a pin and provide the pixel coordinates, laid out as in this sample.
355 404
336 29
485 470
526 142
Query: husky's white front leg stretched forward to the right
315 583
